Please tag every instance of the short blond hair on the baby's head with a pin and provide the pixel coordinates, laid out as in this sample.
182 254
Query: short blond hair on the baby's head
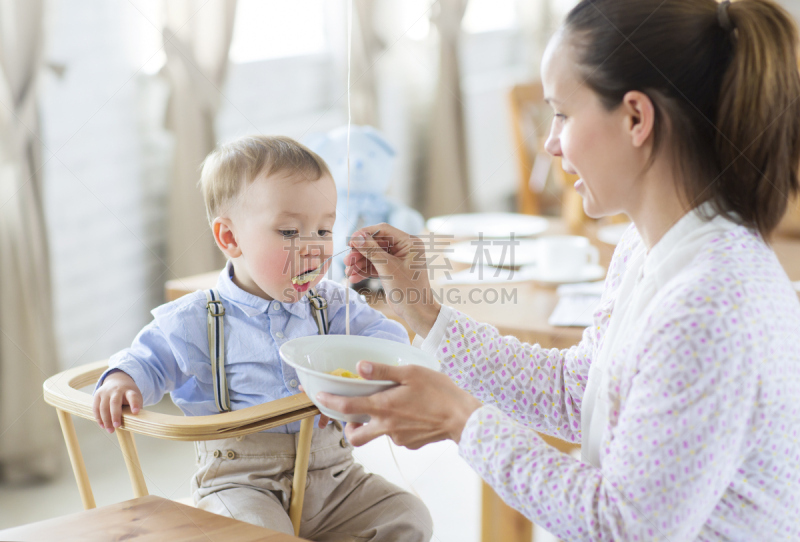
232 166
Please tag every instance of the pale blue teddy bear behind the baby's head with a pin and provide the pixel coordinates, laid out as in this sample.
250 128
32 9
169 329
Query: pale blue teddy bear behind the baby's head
371 163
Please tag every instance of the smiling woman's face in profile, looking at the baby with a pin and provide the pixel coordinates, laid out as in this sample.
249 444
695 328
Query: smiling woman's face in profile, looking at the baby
592 142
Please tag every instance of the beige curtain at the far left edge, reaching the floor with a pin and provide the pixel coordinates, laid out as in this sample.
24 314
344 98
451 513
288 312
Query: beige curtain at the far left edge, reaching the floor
29 431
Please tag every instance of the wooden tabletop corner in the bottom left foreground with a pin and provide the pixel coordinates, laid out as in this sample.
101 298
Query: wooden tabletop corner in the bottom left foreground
146 519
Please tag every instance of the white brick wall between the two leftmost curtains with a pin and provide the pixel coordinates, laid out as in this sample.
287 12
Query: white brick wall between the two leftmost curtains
103 183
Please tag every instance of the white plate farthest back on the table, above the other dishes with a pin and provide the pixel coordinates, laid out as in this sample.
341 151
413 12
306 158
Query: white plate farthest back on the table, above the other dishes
490 225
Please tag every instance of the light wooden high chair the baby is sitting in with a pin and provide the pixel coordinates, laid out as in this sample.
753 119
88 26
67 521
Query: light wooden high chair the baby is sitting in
63 391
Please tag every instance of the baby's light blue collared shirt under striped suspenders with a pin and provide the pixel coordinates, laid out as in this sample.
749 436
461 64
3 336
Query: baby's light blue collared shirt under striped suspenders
171 353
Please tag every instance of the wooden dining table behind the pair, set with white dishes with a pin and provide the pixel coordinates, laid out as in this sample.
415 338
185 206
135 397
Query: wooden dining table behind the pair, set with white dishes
526 319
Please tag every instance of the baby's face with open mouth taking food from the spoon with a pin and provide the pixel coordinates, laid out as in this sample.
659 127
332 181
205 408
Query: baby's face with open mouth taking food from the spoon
283 227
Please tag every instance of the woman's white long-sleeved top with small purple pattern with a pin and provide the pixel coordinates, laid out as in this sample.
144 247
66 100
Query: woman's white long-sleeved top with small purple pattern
684 393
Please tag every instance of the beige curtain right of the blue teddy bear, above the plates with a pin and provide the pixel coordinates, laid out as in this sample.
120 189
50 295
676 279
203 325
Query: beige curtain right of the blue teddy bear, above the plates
446 188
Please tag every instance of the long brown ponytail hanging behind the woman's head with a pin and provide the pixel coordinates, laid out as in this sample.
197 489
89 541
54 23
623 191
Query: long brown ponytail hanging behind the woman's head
759 113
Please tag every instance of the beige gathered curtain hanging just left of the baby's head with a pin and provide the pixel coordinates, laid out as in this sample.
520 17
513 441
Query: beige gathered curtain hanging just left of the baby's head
197 38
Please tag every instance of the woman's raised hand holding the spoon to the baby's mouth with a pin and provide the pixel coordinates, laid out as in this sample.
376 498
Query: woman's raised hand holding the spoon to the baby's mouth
398 259
